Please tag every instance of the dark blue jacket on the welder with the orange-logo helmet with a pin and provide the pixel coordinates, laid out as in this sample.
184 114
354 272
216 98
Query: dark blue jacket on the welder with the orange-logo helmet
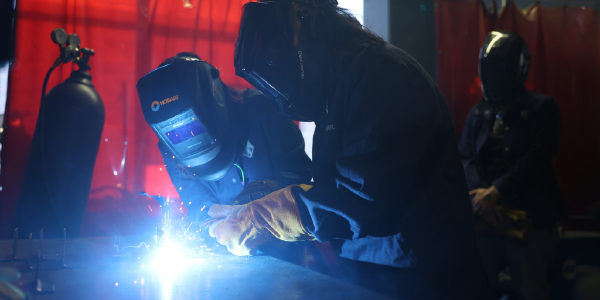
272 148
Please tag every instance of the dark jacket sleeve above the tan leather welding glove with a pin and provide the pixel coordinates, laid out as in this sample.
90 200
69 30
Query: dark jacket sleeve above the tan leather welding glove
392 115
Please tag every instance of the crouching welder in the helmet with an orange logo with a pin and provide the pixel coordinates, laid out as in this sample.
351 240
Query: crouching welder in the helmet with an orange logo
219 144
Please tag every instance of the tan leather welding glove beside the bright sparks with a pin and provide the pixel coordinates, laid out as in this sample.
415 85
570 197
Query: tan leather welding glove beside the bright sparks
245 227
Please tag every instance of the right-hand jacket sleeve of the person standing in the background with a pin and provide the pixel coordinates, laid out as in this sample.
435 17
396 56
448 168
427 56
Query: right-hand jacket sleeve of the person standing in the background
543 145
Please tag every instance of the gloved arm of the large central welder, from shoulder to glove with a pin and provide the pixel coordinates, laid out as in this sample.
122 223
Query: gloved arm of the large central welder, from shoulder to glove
398 142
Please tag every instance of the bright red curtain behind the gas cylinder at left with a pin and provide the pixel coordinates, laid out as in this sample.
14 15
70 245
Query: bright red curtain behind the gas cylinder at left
130 37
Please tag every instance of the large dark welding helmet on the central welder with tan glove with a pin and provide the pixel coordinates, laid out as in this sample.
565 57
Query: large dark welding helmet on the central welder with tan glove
295 75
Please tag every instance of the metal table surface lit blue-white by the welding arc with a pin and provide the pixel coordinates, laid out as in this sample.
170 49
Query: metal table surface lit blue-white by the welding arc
126 268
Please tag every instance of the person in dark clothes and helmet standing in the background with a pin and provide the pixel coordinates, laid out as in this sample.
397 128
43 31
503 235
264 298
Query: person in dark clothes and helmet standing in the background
508 143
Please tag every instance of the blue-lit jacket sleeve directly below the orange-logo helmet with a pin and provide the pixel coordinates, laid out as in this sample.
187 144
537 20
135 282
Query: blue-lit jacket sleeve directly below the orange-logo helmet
190 189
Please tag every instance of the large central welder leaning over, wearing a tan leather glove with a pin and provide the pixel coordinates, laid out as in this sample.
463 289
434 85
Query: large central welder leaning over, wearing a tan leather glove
389 190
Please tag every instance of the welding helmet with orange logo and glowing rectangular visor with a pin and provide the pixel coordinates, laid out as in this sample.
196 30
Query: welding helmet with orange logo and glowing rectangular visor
188 107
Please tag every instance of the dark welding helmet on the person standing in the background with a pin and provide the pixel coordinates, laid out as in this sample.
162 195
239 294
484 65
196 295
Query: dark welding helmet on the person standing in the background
503 65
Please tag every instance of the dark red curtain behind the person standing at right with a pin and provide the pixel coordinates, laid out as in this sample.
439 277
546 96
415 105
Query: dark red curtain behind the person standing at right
565 48
